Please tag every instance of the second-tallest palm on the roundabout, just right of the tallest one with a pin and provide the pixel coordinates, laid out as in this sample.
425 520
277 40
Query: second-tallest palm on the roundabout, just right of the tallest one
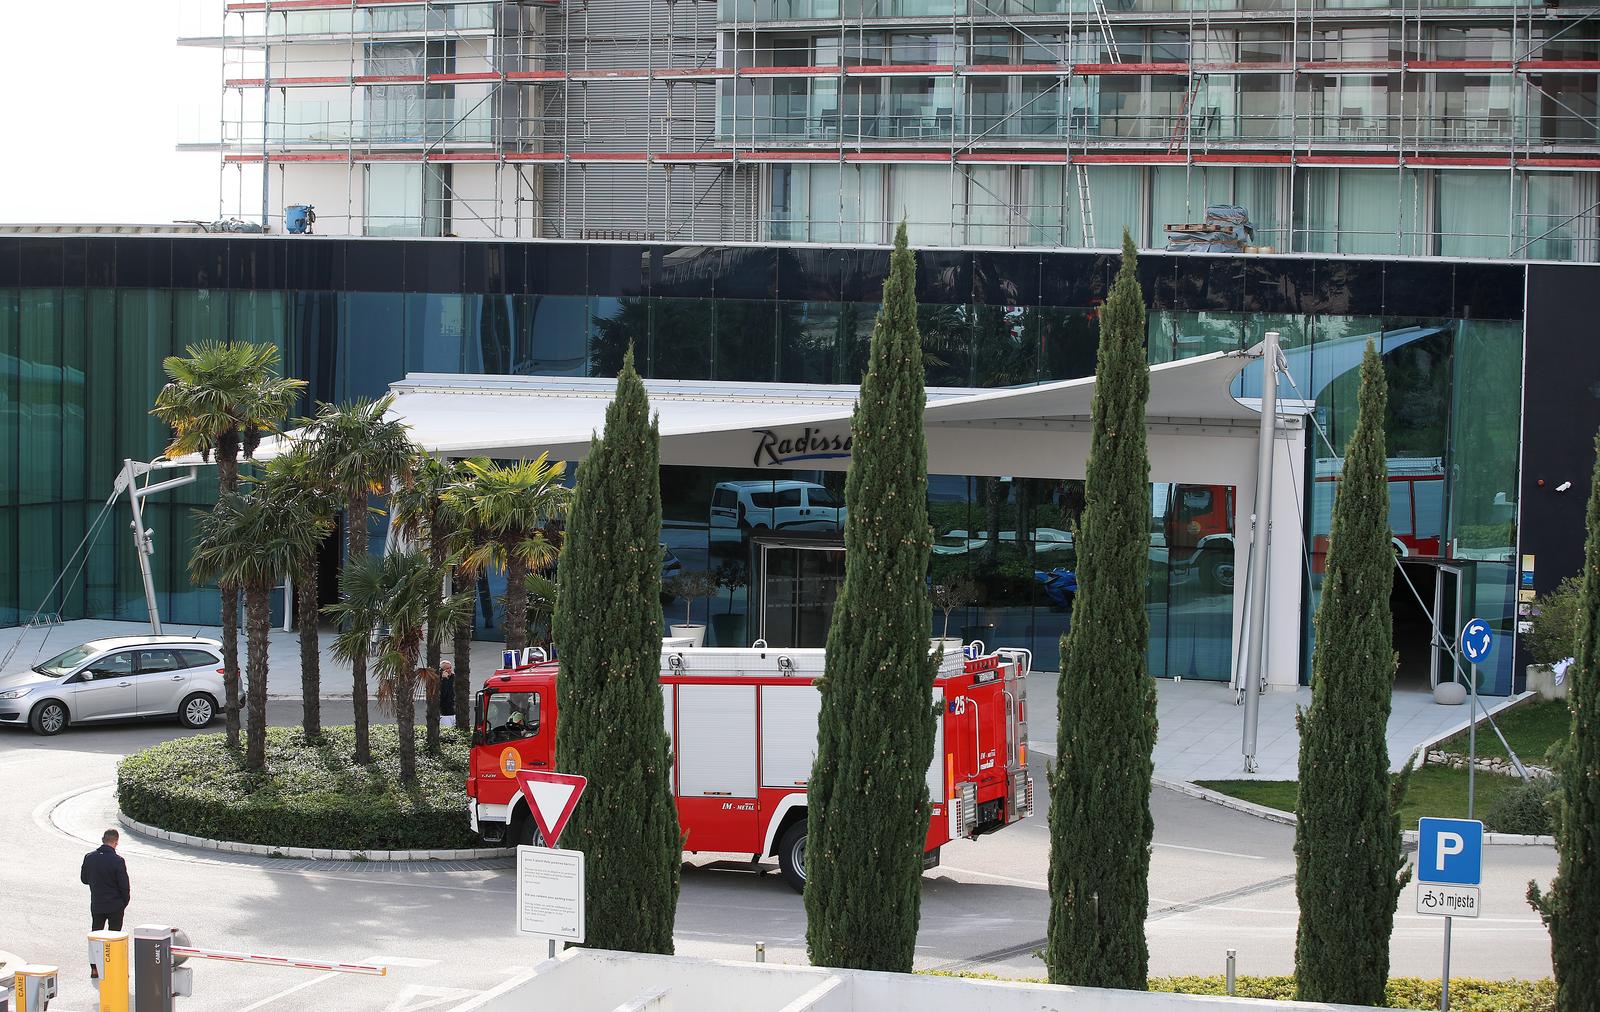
361 451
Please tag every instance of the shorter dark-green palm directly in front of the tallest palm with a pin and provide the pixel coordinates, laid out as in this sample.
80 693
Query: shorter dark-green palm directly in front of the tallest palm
252 540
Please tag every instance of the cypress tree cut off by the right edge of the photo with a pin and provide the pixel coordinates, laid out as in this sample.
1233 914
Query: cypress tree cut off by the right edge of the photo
1572 909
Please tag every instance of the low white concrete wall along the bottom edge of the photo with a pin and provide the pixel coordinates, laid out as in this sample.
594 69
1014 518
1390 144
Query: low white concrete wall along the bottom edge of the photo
599 981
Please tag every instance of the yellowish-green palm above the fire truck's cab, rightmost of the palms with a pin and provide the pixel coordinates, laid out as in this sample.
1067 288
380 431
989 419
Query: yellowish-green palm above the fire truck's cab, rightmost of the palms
510 516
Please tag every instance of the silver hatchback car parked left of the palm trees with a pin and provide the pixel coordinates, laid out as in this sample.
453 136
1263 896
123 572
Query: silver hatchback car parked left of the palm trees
118 680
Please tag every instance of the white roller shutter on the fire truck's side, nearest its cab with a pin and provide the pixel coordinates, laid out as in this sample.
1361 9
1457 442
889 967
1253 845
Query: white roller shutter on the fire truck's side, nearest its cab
718 741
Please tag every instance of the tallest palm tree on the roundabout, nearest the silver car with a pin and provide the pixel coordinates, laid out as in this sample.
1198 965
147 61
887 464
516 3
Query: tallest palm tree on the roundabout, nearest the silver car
220 401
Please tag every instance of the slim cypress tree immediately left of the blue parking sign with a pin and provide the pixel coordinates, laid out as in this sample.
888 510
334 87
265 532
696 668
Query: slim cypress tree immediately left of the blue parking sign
1348 859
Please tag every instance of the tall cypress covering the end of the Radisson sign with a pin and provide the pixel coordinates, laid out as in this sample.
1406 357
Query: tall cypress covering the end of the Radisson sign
868 811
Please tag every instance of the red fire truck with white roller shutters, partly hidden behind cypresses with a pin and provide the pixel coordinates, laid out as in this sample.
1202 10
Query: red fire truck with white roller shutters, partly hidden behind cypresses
743 731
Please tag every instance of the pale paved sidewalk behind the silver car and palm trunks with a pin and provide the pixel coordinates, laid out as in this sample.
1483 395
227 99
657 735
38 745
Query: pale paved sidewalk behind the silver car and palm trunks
282 653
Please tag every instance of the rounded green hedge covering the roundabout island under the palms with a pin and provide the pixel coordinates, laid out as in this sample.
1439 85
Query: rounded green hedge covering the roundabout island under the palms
311 795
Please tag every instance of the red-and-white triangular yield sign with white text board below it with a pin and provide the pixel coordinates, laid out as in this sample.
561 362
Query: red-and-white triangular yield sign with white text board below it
551 881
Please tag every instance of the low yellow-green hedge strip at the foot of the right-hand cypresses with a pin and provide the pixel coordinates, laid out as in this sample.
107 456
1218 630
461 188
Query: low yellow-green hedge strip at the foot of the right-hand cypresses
1466 994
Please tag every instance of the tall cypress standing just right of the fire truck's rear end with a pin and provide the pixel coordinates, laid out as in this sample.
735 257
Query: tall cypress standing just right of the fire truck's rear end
1100 806
